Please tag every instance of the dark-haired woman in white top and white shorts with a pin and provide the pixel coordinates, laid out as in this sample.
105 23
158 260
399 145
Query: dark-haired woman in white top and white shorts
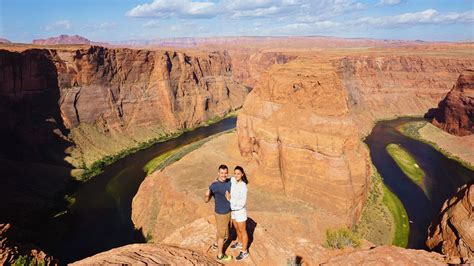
238 199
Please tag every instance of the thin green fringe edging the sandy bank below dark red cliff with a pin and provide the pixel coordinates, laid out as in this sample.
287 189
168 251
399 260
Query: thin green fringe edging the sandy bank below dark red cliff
412 129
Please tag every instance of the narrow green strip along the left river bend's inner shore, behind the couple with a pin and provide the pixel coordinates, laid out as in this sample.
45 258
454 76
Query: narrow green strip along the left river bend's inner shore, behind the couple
176 154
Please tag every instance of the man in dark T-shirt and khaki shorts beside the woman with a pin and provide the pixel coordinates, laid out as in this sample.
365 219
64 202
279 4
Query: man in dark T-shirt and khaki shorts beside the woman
222 210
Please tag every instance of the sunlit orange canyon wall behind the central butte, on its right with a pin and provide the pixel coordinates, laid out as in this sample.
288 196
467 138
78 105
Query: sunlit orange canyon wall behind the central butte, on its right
385 86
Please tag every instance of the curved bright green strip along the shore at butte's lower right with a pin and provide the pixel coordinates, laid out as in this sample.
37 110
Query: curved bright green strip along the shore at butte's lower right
400 217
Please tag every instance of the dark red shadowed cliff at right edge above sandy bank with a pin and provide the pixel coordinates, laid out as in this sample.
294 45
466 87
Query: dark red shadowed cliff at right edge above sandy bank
455 113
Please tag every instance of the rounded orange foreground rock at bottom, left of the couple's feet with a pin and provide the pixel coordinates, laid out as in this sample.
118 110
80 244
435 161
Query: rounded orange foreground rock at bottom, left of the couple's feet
148 254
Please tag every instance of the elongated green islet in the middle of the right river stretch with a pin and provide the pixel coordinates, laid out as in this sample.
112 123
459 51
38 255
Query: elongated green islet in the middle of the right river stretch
406 163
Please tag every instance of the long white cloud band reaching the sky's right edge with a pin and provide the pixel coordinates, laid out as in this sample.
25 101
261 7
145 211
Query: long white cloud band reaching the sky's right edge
429 16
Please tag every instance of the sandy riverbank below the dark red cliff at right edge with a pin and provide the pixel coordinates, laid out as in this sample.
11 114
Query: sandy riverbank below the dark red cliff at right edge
460 149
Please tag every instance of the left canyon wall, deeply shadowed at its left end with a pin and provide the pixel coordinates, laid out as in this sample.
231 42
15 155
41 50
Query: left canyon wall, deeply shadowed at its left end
68 107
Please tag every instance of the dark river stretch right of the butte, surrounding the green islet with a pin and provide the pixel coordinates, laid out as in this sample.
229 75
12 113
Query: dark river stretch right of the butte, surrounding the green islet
442 176
